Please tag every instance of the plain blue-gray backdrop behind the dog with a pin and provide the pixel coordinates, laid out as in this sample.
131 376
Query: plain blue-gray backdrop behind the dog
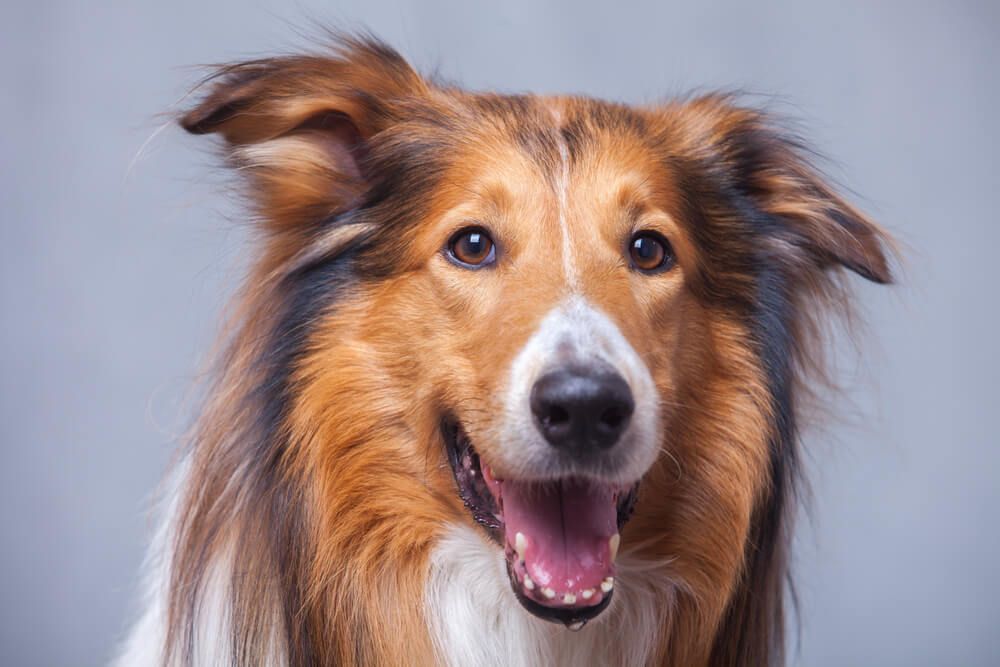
115 261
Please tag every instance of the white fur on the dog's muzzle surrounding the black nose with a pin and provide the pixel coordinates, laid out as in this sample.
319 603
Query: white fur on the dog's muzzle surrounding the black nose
577 333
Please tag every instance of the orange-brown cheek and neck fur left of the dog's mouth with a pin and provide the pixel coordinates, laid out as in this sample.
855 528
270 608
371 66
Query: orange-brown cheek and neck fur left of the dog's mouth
362 437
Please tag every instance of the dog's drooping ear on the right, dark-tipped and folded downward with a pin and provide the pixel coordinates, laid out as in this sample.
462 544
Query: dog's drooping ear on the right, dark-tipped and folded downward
771 167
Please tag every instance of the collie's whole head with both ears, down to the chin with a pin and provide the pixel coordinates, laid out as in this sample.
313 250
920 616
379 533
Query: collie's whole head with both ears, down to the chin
560 313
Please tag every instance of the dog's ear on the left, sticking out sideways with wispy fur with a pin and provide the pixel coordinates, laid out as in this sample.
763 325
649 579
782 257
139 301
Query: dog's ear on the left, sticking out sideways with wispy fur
299 126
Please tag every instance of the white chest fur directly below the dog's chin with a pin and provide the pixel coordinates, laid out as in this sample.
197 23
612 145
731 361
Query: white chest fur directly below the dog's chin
476 620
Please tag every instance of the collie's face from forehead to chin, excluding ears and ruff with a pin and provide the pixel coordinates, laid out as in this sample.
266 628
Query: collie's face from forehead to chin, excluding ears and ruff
553 279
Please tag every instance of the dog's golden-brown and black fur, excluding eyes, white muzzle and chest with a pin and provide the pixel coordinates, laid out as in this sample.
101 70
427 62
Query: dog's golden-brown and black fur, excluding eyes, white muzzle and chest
318 464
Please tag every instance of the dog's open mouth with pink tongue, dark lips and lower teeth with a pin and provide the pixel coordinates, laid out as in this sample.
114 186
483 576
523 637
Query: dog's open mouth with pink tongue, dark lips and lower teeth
560 536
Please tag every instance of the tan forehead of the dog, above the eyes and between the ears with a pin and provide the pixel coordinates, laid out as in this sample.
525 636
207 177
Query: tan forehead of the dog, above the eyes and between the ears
575 152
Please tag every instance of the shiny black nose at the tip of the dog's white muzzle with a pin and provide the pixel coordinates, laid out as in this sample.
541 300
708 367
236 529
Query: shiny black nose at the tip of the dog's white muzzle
582 408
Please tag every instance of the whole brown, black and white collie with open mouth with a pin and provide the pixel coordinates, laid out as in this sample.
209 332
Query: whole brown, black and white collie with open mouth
513 379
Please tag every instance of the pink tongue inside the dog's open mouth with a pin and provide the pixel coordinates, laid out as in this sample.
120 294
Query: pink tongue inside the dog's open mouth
567 526
